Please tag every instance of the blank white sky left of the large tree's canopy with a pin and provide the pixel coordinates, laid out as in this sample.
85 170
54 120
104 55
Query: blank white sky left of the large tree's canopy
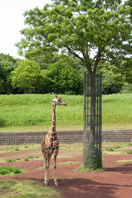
12 21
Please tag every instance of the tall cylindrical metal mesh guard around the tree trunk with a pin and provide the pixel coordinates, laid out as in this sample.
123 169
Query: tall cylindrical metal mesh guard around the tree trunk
92 156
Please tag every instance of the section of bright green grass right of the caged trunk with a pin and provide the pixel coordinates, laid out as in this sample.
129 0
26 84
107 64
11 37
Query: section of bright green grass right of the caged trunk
117 109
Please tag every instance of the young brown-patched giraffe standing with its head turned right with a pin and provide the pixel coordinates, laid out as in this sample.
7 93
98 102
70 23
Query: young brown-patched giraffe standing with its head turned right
50 143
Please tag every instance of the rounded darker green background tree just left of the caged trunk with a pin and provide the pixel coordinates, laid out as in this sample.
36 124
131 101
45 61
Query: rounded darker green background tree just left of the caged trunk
65 78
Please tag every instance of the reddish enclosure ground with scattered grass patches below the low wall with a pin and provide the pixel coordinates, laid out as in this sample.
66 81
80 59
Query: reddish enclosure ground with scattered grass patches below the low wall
114 182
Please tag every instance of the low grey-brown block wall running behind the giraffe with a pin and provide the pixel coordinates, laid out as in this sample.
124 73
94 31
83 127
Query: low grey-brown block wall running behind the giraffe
64 137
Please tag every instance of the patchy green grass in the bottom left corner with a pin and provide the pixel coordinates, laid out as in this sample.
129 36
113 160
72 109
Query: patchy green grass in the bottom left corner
26 188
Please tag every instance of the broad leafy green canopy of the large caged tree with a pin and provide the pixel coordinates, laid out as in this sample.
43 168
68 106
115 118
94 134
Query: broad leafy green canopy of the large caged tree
91 30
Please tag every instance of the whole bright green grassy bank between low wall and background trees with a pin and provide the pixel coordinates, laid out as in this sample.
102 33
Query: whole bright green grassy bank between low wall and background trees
34 113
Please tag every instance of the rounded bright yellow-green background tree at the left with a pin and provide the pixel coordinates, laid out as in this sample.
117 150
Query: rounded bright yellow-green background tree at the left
26 75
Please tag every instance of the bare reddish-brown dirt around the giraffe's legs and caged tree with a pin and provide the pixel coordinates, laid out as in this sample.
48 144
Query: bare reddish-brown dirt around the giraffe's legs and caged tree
114 182
